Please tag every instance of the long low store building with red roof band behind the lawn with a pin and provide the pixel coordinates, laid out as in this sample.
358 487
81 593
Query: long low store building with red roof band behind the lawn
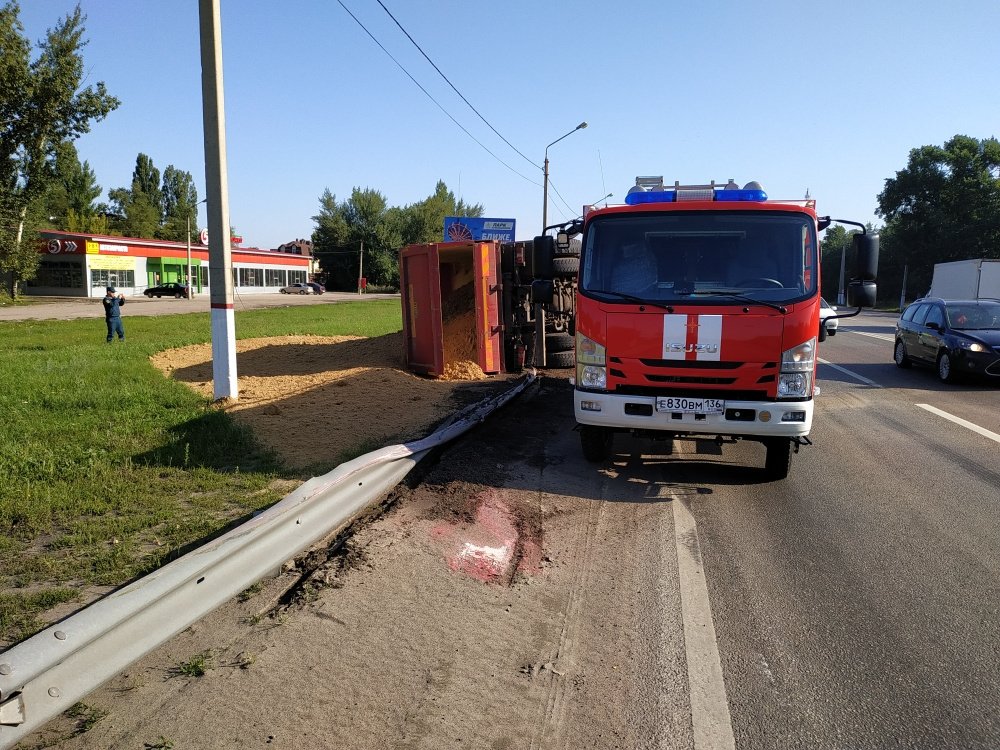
83 265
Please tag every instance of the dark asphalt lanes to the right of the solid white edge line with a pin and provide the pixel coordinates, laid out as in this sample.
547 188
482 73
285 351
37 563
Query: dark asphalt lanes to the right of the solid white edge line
855 603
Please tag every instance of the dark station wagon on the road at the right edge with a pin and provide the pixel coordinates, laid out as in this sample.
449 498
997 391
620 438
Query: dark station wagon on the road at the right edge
957 337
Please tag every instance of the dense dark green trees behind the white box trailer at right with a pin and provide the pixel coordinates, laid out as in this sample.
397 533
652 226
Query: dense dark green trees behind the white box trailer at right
944 205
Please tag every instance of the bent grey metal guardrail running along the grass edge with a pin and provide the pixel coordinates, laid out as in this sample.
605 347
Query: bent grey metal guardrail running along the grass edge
49 672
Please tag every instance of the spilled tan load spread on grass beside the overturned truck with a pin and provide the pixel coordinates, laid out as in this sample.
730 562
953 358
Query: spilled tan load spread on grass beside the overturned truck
322 399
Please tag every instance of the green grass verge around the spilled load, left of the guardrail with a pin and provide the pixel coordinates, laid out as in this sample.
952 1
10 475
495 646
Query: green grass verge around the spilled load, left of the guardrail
108 469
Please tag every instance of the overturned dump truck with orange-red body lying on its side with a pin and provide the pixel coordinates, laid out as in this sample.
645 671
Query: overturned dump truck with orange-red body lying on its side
473 308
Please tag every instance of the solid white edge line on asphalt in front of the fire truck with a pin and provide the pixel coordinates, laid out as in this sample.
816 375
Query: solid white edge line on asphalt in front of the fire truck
710 719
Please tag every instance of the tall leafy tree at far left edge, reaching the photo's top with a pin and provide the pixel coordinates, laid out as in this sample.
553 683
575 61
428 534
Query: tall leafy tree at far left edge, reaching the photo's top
42 106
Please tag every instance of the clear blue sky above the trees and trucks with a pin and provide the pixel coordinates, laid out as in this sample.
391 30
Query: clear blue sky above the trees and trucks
823 96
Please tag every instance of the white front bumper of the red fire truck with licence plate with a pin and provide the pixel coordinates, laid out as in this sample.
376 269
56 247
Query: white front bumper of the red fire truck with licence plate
750 418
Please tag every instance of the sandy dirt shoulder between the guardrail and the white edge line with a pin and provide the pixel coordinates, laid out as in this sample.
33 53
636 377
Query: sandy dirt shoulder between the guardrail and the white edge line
501 603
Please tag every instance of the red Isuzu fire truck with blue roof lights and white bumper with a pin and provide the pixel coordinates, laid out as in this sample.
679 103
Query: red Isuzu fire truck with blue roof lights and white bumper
697 316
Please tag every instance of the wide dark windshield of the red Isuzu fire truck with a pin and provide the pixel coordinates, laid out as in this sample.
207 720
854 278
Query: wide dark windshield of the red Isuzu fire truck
702 256
